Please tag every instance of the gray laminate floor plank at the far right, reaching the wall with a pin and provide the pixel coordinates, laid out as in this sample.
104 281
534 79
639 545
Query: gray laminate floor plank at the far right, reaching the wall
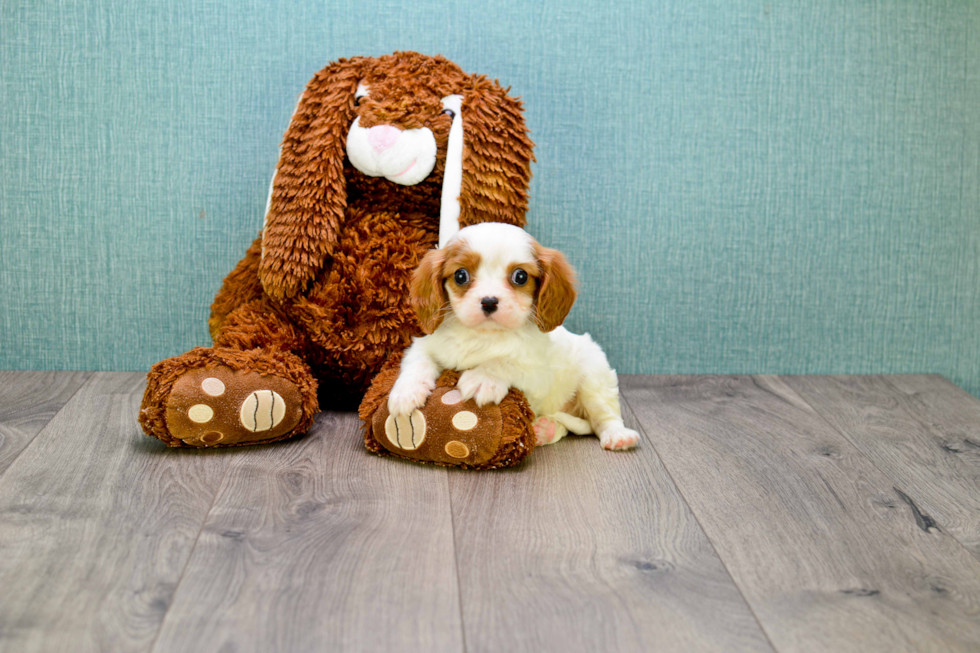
922 431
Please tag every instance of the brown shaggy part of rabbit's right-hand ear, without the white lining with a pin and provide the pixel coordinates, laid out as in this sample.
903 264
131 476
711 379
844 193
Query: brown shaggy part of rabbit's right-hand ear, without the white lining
496 162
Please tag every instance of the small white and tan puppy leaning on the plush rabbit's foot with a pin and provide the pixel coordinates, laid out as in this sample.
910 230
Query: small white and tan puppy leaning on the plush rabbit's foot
492 301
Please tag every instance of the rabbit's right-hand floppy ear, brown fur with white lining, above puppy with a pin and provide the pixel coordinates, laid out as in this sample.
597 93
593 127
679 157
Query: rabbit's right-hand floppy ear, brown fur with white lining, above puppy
488 160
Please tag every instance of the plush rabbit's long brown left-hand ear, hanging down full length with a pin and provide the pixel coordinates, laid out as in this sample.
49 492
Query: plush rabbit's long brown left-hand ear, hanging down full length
309 191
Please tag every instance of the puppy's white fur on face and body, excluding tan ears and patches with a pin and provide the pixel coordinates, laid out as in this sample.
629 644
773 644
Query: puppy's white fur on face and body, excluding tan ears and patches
565 377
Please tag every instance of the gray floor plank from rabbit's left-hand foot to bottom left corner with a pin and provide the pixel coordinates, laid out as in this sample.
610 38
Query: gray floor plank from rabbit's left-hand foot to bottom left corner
96 524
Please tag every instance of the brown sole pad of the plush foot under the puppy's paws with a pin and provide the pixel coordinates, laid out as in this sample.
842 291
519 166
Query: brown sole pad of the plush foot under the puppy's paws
446 430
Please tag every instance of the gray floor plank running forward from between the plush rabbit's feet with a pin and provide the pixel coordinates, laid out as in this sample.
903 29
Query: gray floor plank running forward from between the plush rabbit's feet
320 546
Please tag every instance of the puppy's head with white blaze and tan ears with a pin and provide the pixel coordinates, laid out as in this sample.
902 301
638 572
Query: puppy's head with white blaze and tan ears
493 276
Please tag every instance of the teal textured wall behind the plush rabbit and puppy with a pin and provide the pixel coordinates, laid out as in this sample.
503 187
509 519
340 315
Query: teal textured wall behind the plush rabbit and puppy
788 187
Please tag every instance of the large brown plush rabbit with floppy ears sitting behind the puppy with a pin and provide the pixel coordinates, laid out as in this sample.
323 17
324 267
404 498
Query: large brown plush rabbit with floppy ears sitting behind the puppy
383 159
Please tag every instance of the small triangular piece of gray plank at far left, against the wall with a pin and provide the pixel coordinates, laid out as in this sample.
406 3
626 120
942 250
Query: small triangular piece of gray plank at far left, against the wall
28 401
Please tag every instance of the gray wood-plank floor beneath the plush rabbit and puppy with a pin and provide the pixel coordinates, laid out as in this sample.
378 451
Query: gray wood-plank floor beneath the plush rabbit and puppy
759 513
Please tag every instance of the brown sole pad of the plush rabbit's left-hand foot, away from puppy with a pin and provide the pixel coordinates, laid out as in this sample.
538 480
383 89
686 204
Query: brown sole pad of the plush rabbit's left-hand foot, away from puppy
221 407
